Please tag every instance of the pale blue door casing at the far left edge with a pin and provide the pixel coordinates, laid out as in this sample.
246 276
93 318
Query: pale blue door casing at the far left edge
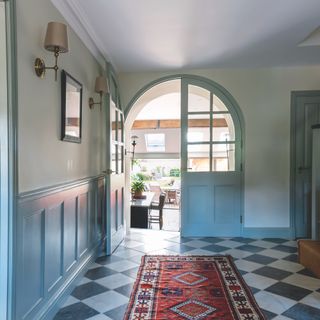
8 169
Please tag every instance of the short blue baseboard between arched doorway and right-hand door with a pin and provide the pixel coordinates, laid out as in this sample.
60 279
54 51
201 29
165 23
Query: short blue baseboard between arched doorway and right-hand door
258 233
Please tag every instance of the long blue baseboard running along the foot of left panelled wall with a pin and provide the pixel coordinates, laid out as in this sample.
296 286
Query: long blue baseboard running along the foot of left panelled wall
59 298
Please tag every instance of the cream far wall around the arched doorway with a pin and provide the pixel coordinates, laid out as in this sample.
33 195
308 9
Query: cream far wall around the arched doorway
264 98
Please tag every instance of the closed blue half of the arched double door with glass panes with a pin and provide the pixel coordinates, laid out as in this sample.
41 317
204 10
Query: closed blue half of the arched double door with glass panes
210 161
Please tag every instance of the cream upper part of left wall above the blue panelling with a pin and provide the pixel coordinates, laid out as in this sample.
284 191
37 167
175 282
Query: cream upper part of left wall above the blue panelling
44 159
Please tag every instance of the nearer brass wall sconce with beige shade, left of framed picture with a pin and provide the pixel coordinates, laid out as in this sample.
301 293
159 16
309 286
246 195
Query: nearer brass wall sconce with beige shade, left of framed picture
56 41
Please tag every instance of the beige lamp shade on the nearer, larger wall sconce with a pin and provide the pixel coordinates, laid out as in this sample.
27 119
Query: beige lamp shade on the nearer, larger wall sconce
56 37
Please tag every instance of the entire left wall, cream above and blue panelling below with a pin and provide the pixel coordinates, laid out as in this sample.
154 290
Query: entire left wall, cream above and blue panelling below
57 230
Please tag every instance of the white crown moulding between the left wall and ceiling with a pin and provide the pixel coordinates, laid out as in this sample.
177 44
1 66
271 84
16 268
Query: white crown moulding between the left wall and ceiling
79 23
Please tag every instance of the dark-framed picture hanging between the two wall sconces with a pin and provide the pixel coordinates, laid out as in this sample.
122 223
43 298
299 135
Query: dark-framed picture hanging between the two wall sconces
71 108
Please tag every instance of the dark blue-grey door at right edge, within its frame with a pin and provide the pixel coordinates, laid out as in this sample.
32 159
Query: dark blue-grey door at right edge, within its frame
306 113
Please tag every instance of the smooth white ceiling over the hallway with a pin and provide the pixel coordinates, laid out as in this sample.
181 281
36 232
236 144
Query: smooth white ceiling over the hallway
144 35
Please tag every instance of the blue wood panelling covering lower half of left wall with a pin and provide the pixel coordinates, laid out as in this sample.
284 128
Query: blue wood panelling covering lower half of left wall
58 231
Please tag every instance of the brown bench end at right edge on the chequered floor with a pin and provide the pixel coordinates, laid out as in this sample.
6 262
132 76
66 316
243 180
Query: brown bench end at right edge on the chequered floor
309 255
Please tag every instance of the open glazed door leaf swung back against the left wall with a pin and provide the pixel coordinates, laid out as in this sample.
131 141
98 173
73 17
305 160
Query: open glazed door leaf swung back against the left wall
115 173
